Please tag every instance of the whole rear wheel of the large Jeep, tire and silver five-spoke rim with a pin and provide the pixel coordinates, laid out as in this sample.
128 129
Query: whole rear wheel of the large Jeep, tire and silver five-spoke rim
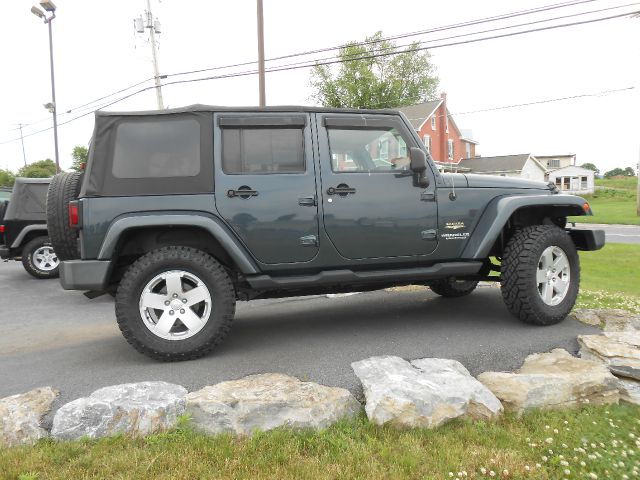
175 303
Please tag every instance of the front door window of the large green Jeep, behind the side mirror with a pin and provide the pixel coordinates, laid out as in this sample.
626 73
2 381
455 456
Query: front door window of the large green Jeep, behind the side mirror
367 150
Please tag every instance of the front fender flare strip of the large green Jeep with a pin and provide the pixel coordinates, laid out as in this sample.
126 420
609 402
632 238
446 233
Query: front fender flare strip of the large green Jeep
500 209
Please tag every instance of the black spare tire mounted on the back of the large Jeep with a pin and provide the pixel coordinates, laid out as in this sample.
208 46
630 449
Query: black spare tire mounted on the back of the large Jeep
64 188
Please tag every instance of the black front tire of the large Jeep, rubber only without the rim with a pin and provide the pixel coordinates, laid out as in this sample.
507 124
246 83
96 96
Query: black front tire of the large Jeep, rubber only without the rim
518 274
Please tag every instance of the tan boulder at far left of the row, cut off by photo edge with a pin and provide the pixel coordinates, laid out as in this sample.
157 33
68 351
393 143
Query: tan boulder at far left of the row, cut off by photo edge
20 416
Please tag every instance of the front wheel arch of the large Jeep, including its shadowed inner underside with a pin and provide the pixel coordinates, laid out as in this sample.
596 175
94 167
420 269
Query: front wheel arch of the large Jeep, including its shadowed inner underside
504 215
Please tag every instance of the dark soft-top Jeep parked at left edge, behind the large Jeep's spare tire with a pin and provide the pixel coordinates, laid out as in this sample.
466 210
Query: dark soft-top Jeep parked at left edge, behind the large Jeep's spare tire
23 229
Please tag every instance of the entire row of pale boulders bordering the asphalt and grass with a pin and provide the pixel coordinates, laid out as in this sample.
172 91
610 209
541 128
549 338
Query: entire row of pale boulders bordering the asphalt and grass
422 393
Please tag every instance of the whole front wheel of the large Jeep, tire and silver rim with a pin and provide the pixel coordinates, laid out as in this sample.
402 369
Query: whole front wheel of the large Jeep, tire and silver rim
540 274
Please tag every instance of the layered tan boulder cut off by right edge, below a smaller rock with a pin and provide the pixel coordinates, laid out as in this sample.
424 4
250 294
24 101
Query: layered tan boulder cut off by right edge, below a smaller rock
618 349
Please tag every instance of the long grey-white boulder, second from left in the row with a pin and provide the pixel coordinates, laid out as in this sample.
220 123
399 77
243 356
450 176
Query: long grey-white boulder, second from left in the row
131 408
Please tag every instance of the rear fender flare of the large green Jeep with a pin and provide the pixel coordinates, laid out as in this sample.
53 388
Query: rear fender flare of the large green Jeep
214 226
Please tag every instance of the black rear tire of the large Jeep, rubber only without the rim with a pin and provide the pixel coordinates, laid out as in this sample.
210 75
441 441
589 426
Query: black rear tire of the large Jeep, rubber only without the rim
166 259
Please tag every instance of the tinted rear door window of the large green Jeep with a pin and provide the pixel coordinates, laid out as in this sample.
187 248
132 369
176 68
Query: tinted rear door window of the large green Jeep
252 151
